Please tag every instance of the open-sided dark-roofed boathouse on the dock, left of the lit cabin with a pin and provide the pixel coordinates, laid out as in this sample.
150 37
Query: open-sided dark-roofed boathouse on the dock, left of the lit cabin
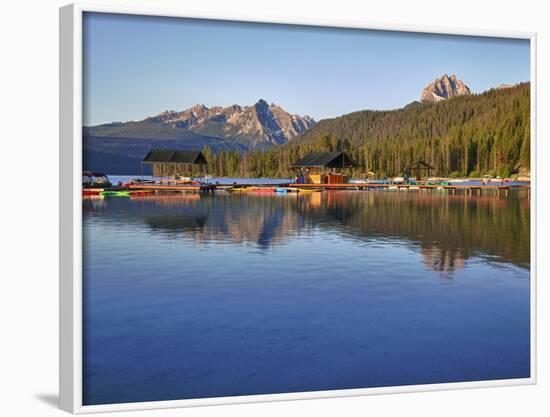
170 163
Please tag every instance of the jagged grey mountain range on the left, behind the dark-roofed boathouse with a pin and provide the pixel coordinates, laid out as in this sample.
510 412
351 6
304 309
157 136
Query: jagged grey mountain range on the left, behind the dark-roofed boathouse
119 147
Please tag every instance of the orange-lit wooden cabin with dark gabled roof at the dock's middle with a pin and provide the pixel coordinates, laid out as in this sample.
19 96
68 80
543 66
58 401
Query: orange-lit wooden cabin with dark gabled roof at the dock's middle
323 168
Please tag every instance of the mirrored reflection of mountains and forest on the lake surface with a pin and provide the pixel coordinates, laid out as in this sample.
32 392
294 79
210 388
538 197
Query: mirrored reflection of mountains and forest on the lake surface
446 230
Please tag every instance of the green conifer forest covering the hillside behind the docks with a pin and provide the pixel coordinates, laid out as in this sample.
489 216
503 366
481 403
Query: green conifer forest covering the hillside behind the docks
474 135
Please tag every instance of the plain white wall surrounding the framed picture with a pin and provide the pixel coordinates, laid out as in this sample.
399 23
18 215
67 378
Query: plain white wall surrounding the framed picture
29 195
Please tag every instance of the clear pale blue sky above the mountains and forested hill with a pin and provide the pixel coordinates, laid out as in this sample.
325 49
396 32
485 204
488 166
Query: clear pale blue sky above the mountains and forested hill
137 66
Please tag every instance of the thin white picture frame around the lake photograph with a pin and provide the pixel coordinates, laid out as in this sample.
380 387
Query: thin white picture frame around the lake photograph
70 152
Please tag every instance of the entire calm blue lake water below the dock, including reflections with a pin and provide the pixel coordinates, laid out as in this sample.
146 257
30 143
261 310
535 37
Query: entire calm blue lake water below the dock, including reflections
191 296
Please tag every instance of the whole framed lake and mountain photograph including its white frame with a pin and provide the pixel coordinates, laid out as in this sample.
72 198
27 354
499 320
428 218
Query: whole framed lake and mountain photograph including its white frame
257 210
